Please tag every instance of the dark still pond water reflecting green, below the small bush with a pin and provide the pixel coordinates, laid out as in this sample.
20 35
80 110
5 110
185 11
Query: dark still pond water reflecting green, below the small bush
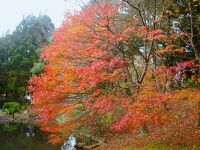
19 136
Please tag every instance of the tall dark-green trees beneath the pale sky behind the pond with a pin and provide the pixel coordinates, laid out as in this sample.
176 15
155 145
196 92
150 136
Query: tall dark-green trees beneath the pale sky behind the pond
19 53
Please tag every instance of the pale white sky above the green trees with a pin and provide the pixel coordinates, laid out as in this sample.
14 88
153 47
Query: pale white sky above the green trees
12 11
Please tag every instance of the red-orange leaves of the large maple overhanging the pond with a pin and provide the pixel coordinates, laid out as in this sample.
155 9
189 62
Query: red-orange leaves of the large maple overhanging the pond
85 58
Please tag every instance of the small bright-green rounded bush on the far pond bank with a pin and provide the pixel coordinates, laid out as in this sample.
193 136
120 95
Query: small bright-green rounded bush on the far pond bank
11 108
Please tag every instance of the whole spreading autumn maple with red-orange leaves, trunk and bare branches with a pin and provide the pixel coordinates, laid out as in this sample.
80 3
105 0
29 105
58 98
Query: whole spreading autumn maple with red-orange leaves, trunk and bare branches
105 62
